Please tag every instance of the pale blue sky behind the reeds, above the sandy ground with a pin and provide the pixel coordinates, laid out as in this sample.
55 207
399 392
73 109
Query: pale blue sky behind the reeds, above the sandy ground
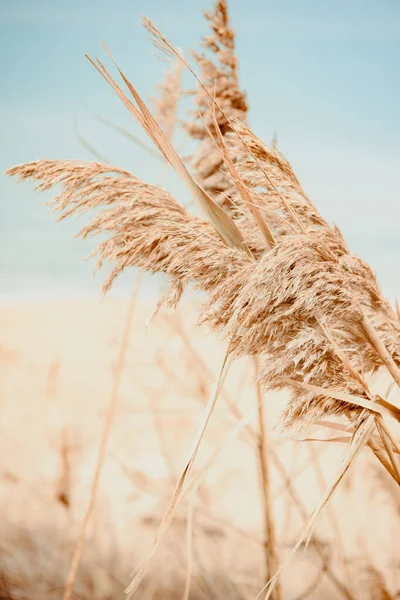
323 75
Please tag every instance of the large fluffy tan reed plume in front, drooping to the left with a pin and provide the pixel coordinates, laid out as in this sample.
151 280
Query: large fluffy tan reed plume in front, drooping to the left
300 305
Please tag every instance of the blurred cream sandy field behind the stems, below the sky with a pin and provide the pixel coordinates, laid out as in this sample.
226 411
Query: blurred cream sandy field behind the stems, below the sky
57 363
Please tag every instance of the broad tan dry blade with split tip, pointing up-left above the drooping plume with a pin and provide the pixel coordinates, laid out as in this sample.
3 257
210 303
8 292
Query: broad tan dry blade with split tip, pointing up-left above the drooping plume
223 224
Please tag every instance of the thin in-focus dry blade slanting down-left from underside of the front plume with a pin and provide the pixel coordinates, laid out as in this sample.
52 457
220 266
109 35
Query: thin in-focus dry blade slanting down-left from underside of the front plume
180 488
